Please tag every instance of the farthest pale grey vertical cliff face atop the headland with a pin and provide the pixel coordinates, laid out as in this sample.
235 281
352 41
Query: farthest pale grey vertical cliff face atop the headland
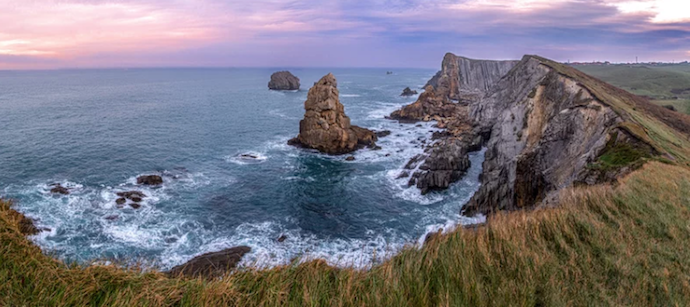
466 80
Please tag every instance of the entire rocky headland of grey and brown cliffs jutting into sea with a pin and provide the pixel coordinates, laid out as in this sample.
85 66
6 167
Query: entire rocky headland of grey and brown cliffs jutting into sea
545 126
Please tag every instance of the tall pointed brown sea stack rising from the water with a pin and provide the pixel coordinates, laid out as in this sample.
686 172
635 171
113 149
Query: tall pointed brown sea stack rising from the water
325 126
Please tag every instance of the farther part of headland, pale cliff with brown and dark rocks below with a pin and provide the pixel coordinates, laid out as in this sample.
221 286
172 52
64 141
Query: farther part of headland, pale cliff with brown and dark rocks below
446 160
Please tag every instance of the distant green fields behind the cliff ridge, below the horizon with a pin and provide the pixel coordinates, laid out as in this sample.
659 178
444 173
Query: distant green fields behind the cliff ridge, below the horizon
656 82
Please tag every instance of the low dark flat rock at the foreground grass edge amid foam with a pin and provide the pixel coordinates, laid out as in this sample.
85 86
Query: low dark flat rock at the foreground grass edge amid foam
211 265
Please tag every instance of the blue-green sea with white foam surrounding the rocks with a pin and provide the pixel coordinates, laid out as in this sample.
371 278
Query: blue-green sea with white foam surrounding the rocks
95 131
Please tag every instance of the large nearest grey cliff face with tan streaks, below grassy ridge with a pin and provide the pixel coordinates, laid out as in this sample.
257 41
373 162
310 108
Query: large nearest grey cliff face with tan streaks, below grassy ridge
546 129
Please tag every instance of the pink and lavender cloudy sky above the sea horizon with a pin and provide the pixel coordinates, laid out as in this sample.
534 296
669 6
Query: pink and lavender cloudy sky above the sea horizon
48 34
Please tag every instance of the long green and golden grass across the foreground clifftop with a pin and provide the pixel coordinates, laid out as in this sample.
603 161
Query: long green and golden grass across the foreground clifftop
604 246
